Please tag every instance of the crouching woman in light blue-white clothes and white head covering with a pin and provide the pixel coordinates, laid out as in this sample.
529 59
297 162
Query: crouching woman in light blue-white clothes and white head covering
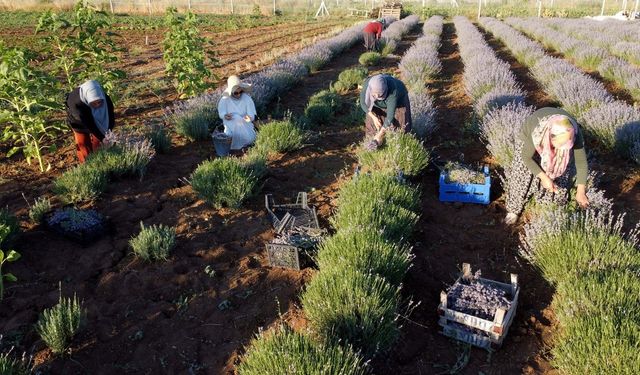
237 112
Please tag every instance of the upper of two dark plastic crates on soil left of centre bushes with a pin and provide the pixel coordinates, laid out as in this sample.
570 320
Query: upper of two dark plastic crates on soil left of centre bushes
291 215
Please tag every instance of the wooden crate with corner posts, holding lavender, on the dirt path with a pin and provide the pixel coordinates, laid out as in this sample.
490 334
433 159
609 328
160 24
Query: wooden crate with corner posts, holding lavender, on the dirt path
487 334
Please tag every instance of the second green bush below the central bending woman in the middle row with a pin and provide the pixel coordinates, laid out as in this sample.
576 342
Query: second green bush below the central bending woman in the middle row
380 187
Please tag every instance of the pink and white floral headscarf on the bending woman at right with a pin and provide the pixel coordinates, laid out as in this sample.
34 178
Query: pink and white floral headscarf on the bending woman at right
554 161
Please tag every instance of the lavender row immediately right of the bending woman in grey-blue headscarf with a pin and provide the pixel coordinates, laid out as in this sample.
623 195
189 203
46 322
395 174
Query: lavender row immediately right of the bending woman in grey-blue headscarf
418 65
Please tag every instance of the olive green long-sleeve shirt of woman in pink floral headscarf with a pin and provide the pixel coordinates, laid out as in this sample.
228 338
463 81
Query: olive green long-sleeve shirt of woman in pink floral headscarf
529 149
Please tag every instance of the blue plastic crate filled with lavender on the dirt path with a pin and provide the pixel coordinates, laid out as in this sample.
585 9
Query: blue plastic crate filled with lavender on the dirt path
460 183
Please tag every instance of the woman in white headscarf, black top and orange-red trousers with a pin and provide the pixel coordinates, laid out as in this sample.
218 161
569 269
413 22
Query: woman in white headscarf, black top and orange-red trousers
90 116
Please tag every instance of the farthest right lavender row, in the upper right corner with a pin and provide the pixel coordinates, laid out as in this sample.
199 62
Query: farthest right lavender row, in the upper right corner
619 38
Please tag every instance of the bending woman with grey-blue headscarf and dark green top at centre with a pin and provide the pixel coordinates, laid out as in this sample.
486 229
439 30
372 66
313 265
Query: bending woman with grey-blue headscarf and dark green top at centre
386 102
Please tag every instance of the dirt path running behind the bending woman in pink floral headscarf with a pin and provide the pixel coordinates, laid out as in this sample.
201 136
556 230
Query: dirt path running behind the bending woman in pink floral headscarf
620 178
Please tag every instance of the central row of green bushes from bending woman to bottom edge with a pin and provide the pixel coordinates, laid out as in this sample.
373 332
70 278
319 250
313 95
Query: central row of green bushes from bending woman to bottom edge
351 304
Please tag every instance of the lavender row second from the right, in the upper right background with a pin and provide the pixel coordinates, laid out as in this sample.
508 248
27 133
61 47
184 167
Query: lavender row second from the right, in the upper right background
583 54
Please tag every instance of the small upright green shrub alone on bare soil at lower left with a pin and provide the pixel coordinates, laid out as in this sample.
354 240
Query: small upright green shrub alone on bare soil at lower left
58 325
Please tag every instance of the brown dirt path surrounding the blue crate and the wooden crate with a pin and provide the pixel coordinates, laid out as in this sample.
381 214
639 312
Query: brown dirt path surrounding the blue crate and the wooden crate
452 234
